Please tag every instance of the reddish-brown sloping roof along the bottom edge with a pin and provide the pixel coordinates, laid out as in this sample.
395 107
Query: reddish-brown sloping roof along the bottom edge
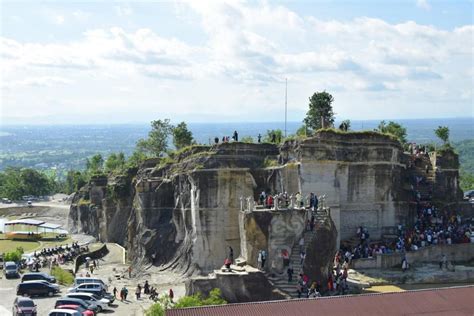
444 301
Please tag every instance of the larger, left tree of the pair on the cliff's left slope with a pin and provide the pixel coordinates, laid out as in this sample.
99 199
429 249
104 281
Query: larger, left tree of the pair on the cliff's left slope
157 141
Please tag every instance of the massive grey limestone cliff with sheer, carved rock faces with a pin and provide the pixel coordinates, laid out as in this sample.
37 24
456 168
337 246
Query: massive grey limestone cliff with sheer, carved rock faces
183 212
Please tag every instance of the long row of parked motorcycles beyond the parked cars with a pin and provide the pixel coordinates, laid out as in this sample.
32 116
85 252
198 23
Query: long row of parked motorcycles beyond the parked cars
54 256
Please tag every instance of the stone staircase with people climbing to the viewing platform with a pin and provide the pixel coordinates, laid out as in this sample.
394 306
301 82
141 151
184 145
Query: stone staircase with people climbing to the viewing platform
280 281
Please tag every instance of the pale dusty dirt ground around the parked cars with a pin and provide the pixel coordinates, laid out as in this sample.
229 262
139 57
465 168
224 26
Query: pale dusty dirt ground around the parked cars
111 269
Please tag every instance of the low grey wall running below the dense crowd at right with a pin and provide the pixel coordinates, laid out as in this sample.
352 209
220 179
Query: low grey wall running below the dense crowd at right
455 253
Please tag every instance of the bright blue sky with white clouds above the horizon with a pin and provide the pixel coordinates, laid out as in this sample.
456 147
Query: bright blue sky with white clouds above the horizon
86 62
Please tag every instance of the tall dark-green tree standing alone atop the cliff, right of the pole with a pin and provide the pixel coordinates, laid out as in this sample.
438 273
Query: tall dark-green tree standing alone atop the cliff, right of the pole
320 113
